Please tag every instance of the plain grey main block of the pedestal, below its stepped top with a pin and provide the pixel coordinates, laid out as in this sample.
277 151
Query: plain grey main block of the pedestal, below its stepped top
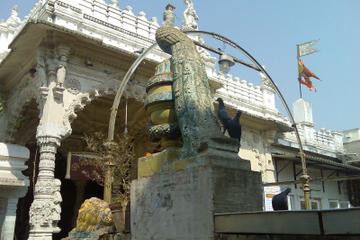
180 205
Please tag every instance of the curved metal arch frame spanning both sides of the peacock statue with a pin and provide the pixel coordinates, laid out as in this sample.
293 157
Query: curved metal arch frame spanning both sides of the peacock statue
305 177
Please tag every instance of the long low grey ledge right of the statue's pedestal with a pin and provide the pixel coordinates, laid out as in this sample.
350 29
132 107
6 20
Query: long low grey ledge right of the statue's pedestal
315 222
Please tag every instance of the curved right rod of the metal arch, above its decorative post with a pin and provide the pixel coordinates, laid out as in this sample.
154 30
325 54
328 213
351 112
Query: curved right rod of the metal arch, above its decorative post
235 45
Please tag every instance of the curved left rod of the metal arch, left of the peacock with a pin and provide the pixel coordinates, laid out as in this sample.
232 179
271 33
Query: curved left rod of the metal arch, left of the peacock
121 90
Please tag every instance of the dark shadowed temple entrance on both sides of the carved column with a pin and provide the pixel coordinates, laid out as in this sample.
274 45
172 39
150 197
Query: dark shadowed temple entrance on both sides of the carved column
94 117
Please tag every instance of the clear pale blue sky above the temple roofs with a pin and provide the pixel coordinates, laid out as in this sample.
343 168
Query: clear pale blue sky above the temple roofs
270 30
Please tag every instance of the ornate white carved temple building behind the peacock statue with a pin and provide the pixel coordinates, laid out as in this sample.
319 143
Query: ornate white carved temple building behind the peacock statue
60 68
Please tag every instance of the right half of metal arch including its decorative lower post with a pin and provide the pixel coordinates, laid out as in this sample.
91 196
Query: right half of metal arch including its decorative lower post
305 177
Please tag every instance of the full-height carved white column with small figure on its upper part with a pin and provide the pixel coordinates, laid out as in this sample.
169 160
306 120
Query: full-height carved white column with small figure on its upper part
45 209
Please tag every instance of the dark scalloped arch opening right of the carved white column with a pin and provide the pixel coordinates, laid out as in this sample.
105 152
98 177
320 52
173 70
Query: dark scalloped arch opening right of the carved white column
94 117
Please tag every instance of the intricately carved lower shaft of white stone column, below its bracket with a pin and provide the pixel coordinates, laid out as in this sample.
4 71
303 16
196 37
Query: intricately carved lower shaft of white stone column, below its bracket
45 209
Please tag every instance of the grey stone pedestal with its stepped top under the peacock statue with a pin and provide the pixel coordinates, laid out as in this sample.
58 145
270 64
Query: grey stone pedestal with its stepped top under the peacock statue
176 199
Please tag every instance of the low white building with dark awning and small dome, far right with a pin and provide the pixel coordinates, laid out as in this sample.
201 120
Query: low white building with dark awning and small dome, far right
325 160
